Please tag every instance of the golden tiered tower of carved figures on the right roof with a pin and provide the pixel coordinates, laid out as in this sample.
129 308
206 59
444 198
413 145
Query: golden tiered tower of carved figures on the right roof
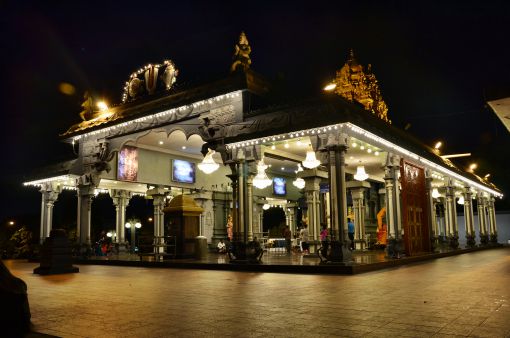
355 84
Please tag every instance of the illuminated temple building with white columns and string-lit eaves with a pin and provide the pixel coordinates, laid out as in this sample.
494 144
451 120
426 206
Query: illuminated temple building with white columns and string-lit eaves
230 148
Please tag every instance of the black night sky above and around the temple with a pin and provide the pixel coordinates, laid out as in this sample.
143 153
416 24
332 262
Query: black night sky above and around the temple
435 61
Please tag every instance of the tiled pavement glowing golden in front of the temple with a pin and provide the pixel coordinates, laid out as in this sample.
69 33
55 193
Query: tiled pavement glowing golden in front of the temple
465 295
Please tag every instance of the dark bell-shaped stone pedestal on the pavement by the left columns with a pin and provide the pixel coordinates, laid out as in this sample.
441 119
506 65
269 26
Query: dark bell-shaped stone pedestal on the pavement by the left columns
56 257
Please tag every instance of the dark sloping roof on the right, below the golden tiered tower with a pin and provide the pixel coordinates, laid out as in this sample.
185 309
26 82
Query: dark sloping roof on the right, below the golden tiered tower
332 109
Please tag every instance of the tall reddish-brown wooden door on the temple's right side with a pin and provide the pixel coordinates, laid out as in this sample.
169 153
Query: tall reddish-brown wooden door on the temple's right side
414 209
